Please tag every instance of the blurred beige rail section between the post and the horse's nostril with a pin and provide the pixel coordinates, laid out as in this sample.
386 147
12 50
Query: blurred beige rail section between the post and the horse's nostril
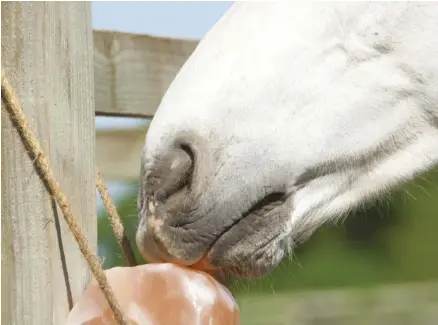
118 153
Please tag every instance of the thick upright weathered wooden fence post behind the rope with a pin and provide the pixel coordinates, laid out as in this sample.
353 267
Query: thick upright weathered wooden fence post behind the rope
47 57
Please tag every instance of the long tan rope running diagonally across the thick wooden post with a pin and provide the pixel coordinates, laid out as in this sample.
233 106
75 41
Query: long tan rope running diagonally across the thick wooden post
42 167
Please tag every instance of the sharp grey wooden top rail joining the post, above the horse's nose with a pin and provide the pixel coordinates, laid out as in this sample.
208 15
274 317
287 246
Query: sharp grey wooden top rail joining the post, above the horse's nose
132 72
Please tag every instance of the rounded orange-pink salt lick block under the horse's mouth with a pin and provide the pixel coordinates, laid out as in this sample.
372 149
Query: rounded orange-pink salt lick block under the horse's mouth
158 294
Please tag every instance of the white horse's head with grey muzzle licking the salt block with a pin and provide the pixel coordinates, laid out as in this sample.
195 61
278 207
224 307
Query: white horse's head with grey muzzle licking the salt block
287 115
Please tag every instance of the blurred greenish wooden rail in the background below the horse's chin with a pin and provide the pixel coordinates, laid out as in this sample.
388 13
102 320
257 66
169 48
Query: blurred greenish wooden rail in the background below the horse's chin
408 303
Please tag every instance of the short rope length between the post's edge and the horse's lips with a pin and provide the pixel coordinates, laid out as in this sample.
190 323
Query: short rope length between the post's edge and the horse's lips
114 218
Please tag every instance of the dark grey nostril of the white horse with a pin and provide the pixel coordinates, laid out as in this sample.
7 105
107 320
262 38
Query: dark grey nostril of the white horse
172 173
